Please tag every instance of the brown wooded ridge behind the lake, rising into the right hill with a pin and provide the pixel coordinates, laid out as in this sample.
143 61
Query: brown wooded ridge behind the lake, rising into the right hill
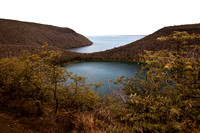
131 52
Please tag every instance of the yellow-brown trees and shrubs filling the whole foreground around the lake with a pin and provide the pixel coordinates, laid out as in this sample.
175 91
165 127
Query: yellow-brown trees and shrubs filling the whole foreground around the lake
163 97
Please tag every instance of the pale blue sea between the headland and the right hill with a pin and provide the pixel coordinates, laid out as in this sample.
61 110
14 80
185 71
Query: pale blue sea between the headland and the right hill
102 43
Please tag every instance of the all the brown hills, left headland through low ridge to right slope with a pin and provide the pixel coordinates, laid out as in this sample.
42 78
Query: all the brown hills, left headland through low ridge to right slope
16 36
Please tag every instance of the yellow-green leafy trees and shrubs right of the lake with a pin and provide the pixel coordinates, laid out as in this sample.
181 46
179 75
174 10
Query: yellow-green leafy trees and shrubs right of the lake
166 92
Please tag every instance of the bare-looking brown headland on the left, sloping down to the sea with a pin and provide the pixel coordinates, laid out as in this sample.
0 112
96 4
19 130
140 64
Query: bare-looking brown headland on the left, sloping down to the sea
32 34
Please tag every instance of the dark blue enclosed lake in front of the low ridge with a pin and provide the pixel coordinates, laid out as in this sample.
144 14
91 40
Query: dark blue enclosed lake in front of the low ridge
102 72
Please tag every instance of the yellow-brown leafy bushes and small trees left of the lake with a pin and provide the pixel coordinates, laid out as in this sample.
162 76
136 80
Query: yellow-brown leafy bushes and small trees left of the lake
34 85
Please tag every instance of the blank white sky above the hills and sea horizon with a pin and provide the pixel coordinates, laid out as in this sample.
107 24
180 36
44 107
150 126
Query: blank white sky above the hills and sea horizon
104 17
